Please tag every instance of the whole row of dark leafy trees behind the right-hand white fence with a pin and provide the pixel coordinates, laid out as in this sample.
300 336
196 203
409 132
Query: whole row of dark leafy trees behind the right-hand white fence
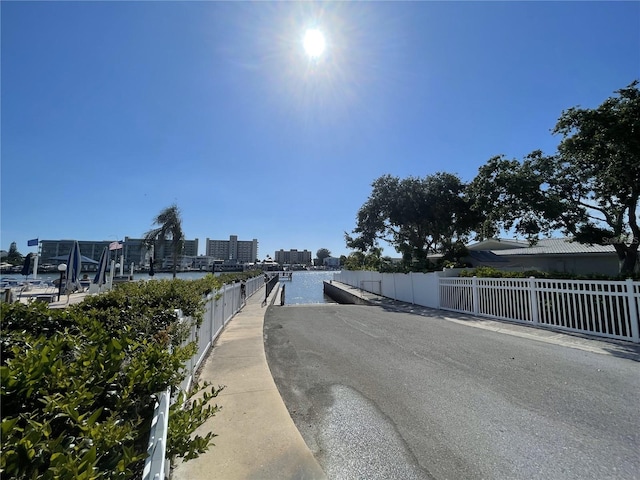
589 189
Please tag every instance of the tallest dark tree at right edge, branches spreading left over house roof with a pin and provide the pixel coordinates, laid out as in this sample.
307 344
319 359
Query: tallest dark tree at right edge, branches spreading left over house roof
590 189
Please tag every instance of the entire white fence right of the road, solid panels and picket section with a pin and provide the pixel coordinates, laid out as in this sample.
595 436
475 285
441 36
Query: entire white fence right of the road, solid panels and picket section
602 308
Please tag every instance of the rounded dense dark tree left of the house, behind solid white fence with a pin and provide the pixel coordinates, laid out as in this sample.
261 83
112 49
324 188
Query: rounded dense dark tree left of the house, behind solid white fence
417 216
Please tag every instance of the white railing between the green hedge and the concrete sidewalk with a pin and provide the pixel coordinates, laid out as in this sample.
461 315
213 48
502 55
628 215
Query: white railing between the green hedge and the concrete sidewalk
221 306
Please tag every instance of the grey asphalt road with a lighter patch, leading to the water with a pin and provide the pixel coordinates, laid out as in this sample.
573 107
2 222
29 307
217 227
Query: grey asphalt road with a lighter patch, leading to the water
379 394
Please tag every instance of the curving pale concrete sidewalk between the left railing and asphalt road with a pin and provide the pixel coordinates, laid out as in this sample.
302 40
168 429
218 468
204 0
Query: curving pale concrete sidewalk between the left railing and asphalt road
257 438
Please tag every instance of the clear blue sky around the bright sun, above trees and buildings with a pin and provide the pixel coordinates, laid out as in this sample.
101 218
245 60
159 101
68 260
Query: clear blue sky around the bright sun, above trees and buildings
112 111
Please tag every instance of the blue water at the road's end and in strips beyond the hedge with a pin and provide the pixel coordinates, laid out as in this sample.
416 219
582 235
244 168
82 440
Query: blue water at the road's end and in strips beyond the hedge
305 286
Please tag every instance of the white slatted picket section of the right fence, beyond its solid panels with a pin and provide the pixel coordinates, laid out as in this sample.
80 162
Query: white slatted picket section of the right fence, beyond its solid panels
602 308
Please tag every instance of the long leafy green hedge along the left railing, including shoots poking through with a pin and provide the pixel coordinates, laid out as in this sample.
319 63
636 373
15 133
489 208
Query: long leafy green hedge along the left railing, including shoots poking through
78 384
